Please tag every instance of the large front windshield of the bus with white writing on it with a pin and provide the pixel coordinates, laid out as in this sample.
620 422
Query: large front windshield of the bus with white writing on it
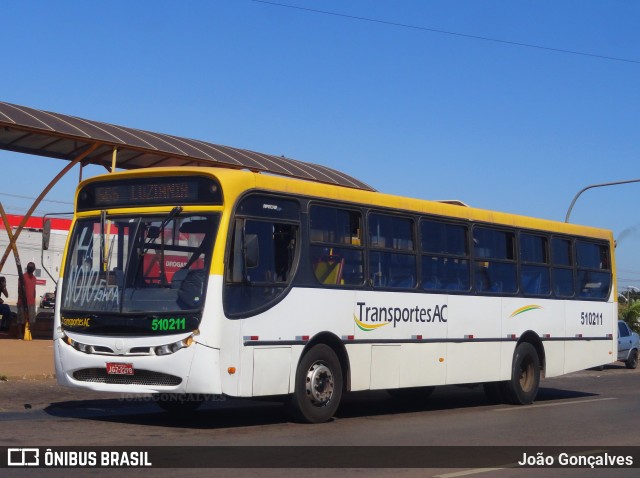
140 264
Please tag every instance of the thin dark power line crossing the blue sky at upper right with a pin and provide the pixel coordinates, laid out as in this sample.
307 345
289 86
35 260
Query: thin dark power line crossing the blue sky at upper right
445 32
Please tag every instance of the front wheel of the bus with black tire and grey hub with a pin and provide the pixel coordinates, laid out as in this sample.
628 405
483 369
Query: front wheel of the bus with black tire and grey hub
318 386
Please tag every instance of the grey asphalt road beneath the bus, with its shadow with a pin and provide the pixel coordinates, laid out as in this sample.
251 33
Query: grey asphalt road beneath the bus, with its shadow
589 409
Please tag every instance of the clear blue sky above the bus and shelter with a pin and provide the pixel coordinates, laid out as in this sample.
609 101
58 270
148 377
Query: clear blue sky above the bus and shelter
507 105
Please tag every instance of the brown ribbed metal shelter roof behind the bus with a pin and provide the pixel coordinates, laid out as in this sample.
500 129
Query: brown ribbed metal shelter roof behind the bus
27 130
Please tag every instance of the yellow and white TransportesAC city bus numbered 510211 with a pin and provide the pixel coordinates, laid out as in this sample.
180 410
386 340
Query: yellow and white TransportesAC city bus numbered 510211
182 282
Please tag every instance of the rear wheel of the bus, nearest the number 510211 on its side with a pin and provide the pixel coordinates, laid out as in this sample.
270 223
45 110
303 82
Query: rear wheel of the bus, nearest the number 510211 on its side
525 376
